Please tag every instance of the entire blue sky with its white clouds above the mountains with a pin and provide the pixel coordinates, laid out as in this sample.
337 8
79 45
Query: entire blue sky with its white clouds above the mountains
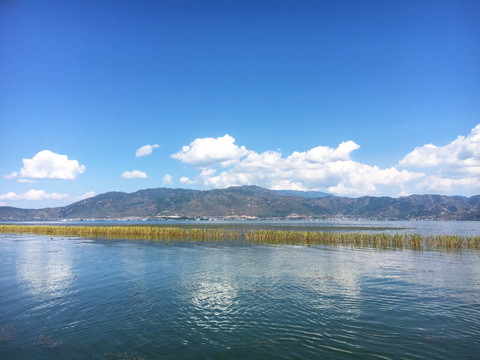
349 97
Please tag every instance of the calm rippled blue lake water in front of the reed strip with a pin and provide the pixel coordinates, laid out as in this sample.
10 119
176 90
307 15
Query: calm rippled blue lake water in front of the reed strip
77 298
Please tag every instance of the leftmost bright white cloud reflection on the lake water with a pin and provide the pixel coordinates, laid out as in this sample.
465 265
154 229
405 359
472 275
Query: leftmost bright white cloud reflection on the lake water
45 267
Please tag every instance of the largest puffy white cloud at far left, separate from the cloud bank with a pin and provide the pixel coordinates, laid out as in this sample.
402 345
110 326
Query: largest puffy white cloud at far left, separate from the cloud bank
49 165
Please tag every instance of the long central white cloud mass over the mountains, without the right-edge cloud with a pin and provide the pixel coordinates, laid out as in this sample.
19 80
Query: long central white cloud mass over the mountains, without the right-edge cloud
320 168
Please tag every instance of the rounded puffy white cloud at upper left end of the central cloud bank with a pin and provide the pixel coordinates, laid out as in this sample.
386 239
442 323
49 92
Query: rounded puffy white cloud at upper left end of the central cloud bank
204 152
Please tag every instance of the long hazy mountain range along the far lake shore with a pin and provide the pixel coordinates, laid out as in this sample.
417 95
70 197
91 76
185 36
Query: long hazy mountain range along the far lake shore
252 202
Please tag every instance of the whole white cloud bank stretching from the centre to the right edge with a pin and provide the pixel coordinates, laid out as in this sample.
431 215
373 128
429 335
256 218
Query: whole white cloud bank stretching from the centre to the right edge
451 169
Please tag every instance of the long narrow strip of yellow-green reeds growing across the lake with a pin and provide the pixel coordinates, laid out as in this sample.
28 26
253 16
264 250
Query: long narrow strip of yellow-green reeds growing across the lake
313 238
